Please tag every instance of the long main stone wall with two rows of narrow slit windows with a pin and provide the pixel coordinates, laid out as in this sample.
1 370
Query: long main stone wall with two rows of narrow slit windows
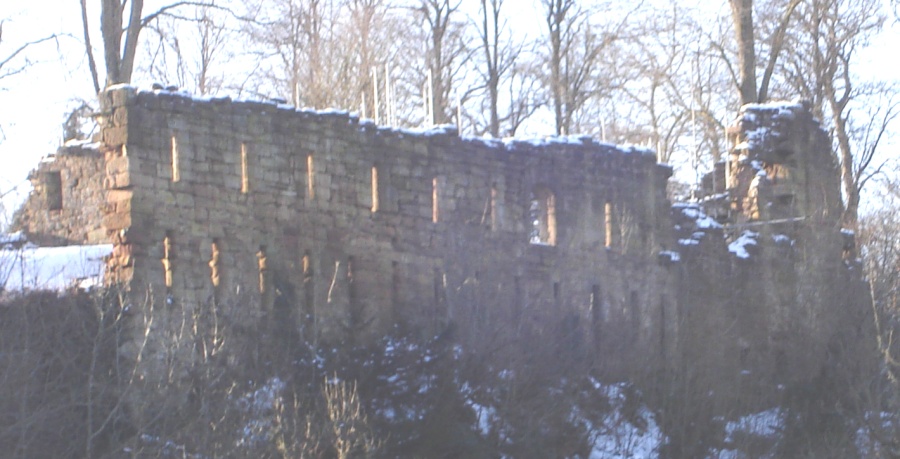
351 228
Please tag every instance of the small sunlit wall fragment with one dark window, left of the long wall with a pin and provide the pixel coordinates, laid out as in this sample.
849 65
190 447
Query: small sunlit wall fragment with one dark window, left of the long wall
65 205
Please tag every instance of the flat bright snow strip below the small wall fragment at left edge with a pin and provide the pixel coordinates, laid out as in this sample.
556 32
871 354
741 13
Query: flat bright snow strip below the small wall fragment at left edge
52 268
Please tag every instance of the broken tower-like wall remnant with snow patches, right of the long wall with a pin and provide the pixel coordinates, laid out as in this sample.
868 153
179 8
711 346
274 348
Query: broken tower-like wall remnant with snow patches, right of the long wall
794 301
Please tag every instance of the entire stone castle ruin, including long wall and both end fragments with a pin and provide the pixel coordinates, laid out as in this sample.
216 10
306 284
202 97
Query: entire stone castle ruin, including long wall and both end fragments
340 230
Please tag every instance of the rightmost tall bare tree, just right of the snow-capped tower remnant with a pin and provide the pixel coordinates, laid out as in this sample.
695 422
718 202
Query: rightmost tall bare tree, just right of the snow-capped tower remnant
830 36
